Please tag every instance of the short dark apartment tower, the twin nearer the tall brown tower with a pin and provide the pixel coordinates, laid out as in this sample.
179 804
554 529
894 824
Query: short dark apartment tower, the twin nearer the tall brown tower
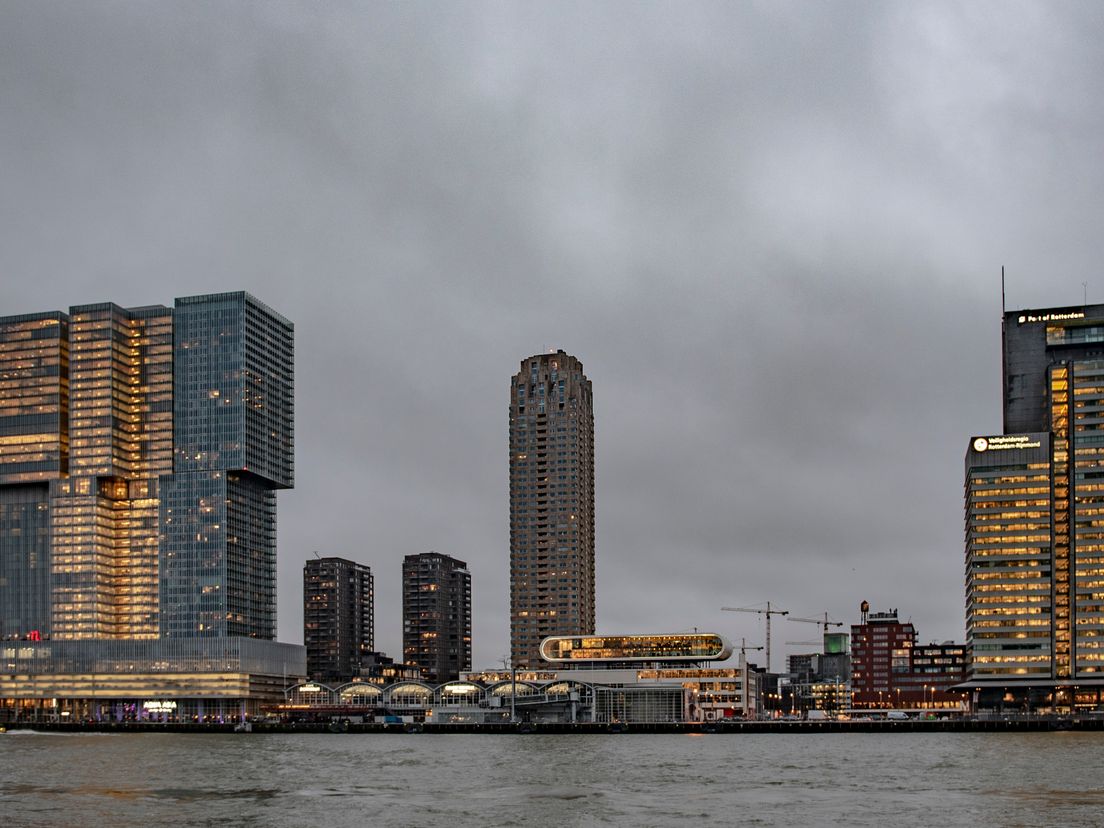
437 615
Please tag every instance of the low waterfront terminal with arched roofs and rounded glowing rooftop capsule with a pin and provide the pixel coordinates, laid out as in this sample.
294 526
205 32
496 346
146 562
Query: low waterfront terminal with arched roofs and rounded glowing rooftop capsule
607 680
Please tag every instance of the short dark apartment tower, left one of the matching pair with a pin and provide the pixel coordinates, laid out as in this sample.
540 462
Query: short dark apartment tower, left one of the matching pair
338 619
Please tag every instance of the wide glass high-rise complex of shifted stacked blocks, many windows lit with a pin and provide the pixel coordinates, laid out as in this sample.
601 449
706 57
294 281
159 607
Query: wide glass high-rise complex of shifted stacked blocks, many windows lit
141 451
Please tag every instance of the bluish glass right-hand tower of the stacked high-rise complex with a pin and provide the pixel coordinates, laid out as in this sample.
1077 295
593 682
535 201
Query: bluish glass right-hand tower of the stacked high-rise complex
232 450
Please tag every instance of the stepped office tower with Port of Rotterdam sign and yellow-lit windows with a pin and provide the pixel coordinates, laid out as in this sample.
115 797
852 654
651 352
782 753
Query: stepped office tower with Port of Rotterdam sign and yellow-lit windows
1035 521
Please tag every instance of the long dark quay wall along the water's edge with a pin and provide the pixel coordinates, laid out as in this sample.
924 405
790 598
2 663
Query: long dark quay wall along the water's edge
947 726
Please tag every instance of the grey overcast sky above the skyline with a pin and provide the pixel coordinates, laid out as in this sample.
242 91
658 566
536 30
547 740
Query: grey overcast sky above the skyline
772 232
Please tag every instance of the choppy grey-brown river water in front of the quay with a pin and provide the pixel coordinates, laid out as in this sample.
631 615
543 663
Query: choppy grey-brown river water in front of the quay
430 780
